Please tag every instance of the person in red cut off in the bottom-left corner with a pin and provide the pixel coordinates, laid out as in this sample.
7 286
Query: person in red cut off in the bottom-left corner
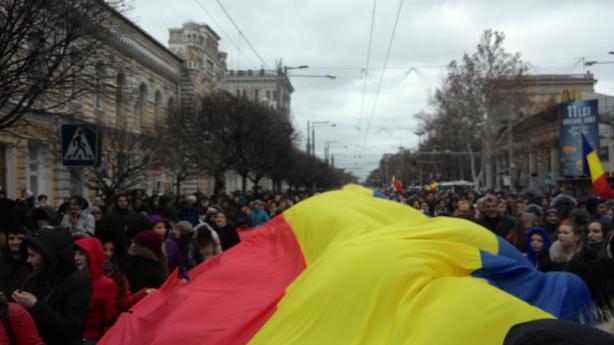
16 325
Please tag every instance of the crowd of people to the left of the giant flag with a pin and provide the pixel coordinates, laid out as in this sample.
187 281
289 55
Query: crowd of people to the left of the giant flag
66 273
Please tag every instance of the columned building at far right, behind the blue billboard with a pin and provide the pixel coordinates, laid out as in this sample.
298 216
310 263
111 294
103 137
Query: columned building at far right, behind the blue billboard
532 146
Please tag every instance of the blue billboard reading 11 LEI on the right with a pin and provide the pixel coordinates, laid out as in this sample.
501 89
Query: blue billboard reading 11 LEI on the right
576 118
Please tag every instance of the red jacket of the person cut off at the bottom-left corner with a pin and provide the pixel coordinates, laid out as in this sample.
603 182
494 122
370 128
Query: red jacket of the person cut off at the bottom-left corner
22 326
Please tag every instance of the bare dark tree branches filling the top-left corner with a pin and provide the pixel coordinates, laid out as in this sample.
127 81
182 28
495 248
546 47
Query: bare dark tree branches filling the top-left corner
49 52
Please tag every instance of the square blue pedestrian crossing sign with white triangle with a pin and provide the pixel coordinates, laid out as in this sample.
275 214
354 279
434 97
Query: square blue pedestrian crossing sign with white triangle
79 144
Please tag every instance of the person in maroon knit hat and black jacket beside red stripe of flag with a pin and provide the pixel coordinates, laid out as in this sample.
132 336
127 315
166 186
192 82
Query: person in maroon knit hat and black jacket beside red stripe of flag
146 267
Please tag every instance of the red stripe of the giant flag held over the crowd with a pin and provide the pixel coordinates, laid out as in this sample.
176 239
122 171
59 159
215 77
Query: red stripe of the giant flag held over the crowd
228 299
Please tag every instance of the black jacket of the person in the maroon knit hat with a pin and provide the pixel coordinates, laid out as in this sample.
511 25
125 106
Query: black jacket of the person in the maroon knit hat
144 269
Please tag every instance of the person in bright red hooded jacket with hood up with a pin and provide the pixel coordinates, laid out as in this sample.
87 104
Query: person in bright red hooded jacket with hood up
89 257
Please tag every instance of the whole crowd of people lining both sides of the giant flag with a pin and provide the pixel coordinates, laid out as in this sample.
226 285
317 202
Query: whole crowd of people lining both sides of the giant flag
66 273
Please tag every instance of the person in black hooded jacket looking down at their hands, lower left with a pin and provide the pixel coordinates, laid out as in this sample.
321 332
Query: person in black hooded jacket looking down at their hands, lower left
57 294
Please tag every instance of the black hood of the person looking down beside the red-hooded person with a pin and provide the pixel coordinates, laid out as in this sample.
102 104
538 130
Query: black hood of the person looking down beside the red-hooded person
56 246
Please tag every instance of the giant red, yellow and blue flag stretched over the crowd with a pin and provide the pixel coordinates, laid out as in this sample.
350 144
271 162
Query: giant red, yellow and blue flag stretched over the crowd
345 267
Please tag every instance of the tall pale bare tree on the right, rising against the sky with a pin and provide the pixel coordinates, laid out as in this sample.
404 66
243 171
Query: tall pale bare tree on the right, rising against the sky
478 94
